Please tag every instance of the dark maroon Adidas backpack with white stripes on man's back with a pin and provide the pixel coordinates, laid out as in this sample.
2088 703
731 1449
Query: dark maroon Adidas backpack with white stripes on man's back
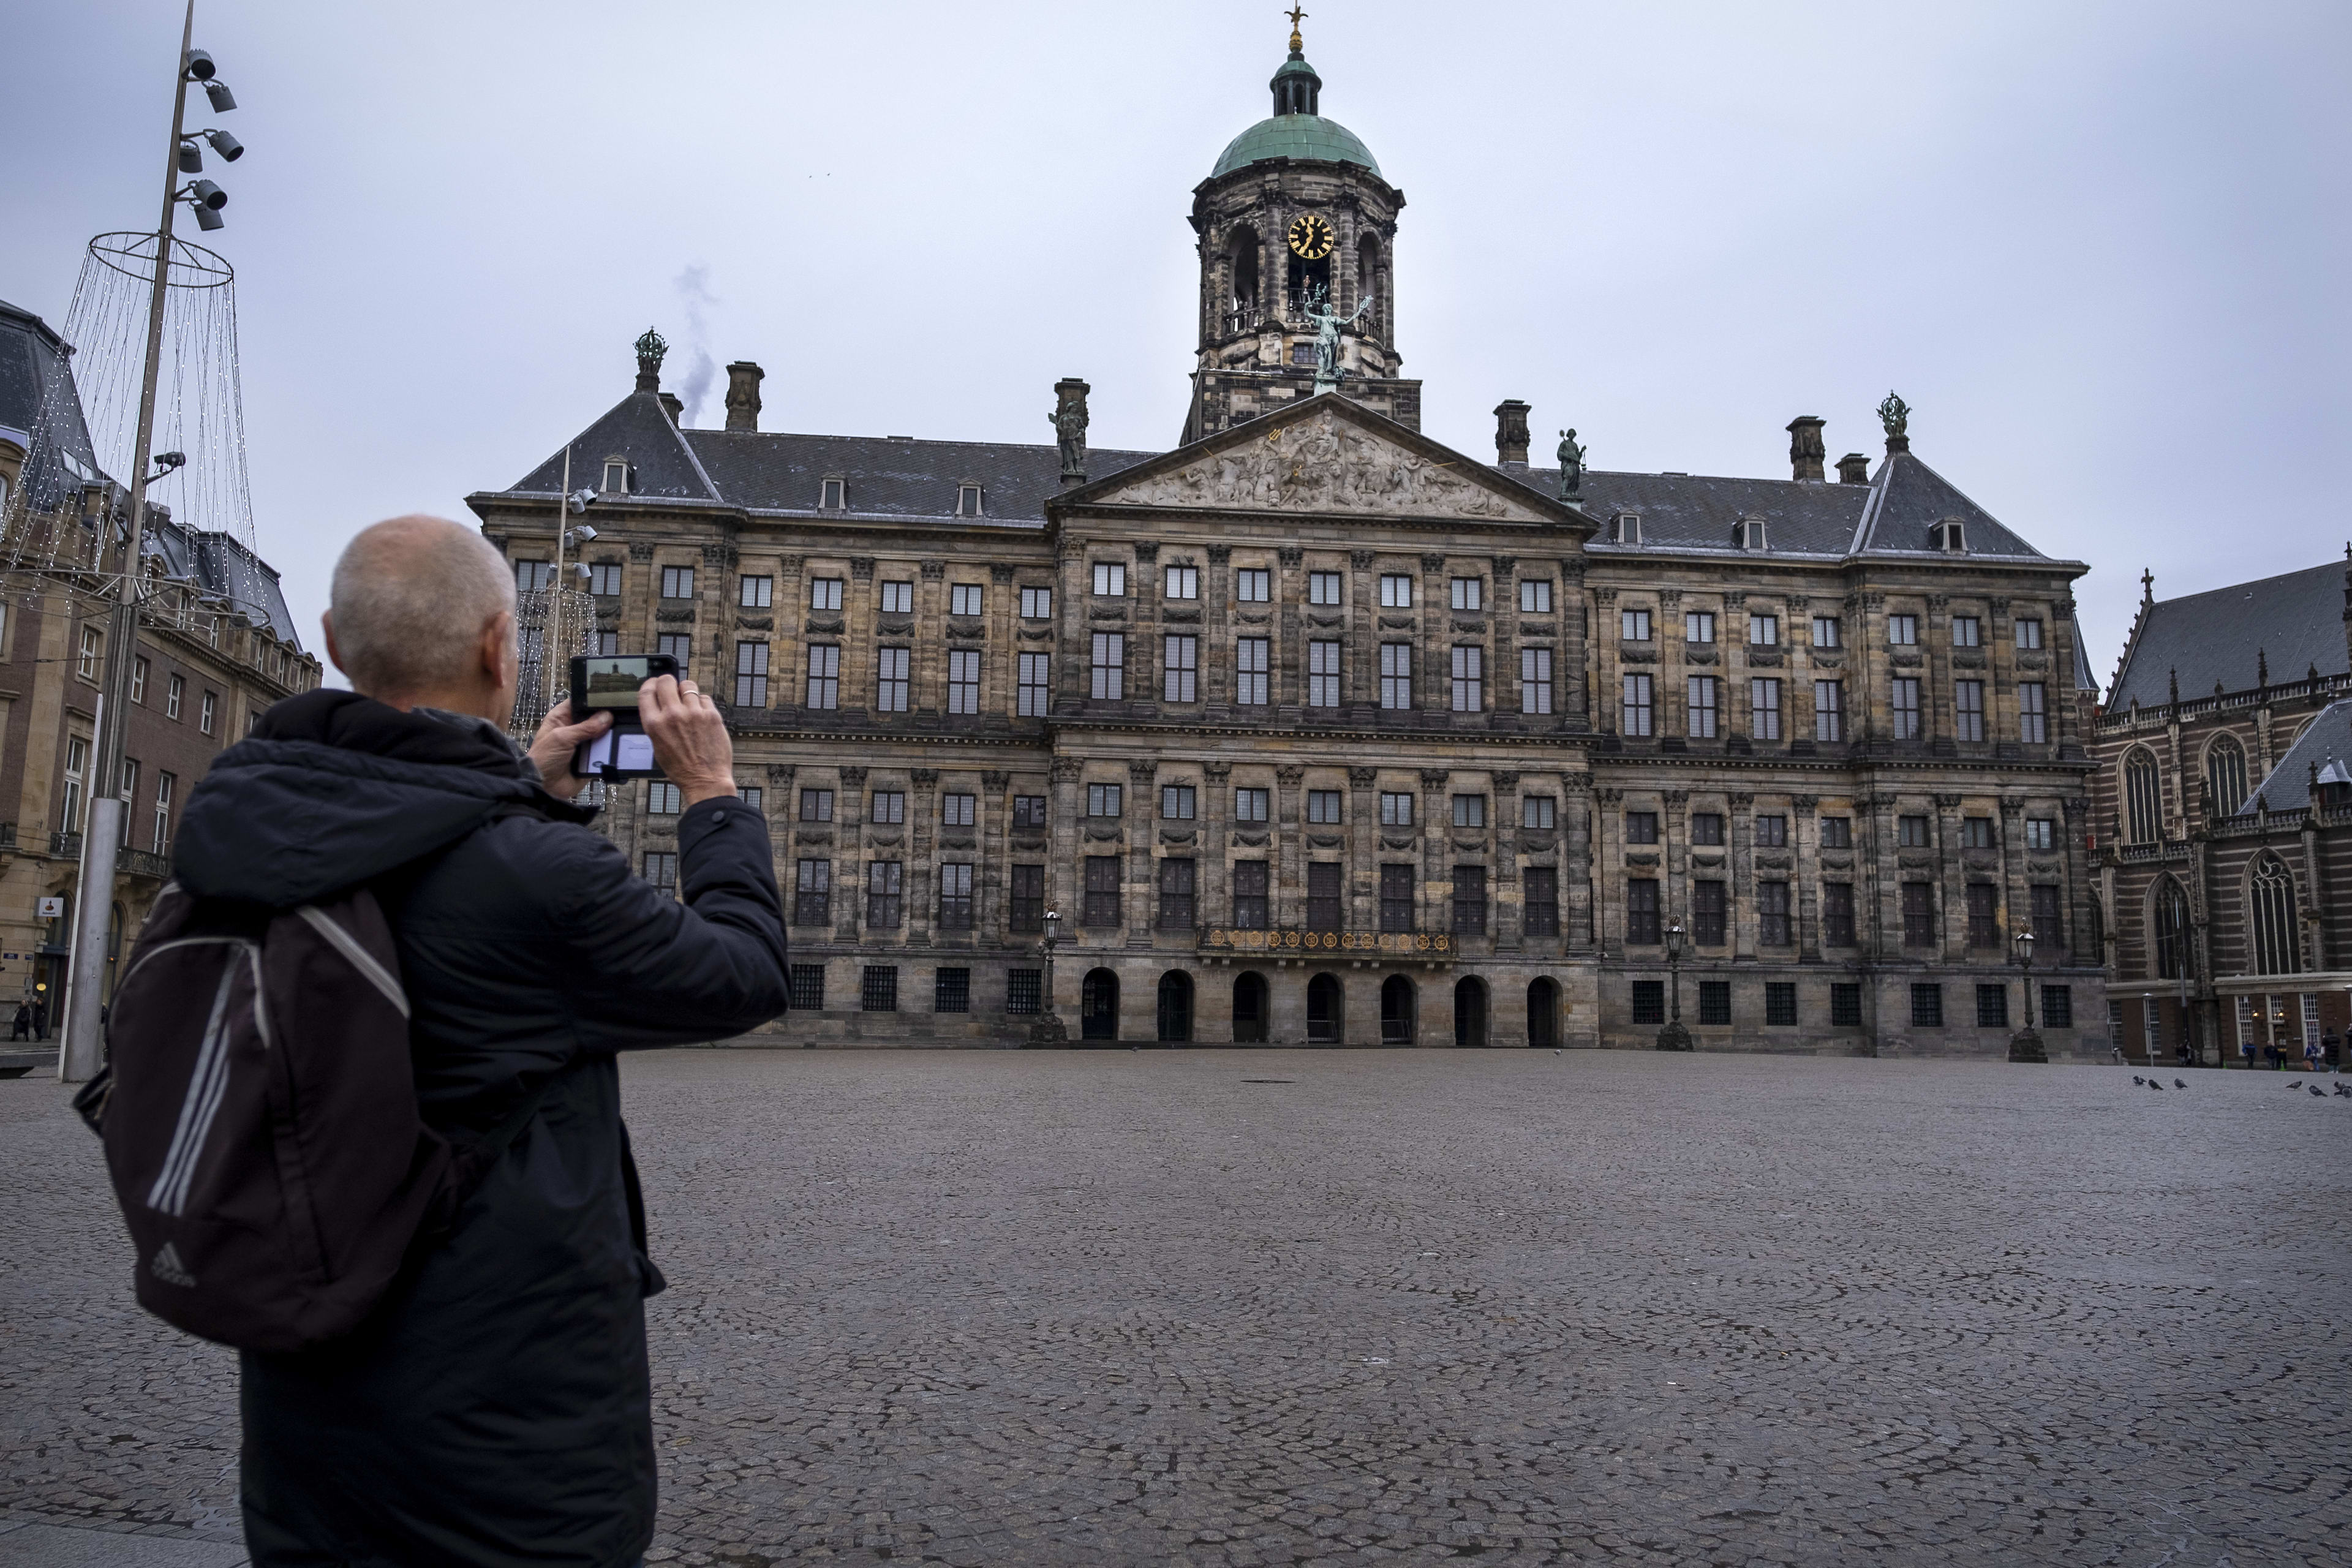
260 1120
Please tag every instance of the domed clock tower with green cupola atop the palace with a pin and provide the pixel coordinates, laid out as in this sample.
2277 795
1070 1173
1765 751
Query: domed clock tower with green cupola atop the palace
1297 243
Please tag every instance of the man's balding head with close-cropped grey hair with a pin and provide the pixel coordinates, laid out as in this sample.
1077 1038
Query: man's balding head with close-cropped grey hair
410 605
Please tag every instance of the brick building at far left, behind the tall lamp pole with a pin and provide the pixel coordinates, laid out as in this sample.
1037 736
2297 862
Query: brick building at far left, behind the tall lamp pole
218 645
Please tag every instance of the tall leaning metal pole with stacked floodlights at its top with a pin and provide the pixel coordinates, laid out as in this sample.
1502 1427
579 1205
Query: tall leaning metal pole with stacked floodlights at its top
102 838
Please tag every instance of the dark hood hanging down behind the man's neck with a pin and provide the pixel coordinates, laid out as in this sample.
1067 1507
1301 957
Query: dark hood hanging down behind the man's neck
335 789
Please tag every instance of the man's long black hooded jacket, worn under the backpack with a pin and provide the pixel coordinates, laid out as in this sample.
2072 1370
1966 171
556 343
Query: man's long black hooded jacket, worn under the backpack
497 1409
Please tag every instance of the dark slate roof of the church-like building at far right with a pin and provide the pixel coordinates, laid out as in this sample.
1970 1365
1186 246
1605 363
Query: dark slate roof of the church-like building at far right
2219 636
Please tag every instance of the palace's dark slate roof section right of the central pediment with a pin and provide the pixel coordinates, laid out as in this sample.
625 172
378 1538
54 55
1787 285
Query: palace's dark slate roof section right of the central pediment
1890 516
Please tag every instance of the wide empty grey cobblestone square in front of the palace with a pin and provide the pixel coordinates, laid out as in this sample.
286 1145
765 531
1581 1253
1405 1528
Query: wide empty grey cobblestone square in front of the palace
1234 1308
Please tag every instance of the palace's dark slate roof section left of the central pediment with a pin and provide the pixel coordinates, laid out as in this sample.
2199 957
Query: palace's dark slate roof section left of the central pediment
775 471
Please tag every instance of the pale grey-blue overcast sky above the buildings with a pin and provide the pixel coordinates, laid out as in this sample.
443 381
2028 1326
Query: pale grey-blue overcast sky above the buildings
2099 248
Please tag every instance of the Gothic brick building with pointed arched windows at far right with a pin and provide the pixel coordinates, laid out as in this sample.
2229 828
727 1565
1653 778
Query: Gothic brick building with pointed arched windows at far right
2224 838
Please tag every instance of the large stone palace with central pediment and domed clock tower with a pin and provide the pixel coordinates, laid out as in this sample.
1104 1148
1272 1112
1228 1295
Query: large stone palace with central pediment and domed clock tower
1321 732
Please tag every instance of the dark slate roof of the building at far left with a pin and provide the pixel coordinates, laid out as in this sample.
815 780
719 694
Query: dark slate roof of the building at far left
39 394
